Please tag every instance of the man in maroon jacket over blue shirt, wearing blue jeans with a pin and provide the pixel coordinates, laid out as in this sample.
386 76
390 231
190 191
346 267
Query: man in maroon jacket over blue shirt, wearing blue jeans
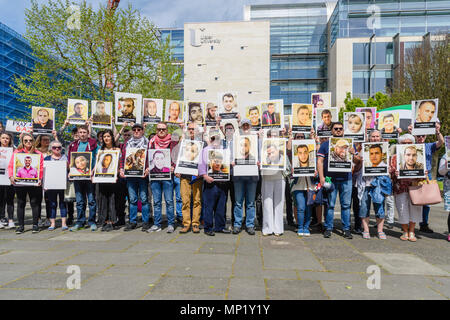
84 188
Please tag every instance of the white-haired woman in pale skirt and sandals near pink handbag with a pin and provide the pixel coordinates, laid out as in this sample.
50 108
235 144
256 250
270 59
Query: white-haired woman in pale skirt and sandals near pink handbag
408 214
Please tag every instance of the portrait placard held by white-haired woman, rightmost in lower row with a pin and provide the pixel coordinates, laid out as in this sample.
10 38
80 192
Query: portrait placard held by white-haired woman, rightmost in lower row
411 160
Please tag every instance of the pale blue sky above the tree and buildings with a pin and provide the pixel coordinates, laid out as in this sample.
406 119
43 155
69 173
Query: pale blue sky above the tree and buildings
164 14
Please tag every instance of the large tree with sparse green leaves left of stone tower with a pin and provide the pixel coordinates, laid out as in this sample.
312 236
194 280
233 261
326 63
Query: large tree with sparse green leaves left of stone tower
92 54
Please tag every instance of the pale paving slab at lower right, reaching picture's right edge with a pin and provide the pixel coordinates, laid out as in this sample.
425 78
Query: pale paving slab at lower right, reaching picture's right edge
399 263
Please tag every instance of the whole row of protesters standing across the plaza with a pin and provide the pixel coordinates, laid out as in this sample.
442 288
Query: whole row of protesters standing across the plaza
194 202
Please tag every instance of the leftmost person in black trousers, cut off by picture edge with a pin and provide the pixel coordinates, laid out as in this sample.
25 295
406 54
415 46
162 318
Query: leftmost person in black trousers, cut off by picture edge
7 192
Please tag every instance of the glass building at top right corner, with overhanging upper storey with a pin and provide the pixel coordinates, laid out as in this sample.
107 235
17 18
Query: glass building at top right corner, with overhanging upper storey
373 60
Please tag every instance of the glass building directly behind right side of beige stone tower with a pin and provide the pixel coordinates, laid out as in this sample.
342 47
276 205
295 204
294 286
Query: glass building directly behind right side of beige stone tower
298 47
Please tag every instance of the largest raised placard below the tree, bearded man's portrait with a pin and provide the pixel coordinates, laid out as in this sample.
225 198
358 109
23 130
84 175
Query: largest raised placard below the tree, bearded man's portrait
128 107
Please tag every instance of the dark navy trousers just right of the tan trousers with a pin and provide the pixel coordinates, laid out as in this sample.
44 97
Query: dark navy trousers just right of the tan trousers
214 199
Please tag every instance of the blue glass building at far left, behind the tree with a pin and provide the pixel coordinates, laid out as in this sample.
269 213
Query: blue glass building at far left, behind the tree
15 60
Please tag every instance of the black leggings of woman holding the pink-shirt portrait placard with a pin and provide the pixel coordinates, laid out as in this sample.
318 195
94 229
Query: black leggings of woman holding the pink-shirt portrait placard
35 195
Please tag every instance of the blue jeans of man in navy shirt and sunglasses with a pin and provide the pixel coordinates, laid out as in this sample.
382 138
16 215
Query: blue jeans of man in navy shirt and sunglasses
345 196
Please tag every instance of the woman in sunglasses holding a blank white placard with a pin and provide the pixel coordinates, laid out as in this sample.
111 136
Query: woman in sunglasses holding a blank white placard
56 149
